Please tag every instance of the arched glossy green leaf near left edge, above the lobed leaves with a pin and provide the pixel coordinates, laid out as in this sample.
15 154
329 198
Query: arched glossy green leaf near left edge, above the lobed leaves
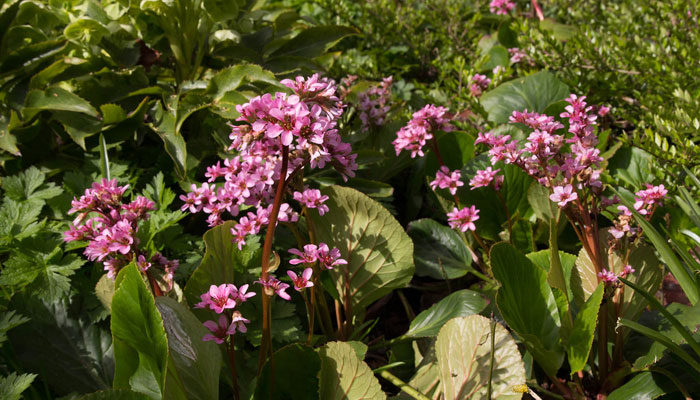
56 99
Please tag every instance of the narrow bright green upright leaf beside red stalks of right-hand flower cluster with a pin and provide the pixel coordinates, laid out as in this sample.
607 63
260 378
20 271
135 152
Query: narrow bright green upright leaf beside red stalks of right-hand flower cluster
581 338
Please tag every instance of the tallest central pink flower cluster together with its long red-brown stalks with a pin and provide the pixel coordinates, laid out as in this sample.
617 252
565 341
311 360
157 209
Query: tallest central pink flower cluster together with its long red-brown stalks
276 137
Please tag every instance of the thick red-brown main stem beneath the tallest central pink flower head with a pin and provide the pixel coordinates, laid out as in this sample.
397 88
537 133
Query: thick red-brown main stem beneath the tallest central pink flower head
266 343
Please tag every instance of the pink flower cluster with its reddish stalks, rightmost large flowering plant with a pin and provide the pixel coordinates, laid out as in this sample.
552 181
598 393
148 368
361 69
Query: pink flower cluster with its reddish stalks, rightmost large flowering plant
569 165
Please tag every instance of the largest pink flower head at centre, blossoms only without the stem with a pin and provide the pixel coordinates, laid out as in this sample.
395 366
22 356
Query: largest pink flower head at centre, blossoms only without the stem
303 123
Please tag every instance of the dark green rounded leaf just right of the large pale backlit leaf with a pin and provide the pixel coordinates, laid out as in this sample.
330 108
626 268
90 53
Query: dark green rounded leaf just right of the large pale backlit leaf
439 252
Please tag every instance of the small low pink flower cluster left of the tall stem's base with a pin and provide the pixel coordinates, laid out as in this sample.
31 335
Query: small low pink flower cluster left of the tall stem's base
220 299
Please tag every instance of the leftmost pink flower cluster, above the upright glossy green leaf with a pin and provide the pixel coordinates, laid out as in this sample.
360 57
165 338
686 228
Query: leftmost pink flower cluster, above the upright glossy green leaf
110 228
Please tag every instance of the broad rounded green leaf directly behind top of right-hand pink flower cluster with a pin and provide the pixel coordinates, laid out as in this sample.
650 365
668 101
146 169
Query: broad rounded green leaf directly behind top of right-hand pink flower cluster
534 93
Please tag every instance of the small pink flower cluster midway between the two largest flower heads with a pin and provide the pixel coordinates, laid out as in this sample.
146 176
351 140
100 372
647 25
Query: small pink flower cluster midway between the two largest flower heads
420 129
